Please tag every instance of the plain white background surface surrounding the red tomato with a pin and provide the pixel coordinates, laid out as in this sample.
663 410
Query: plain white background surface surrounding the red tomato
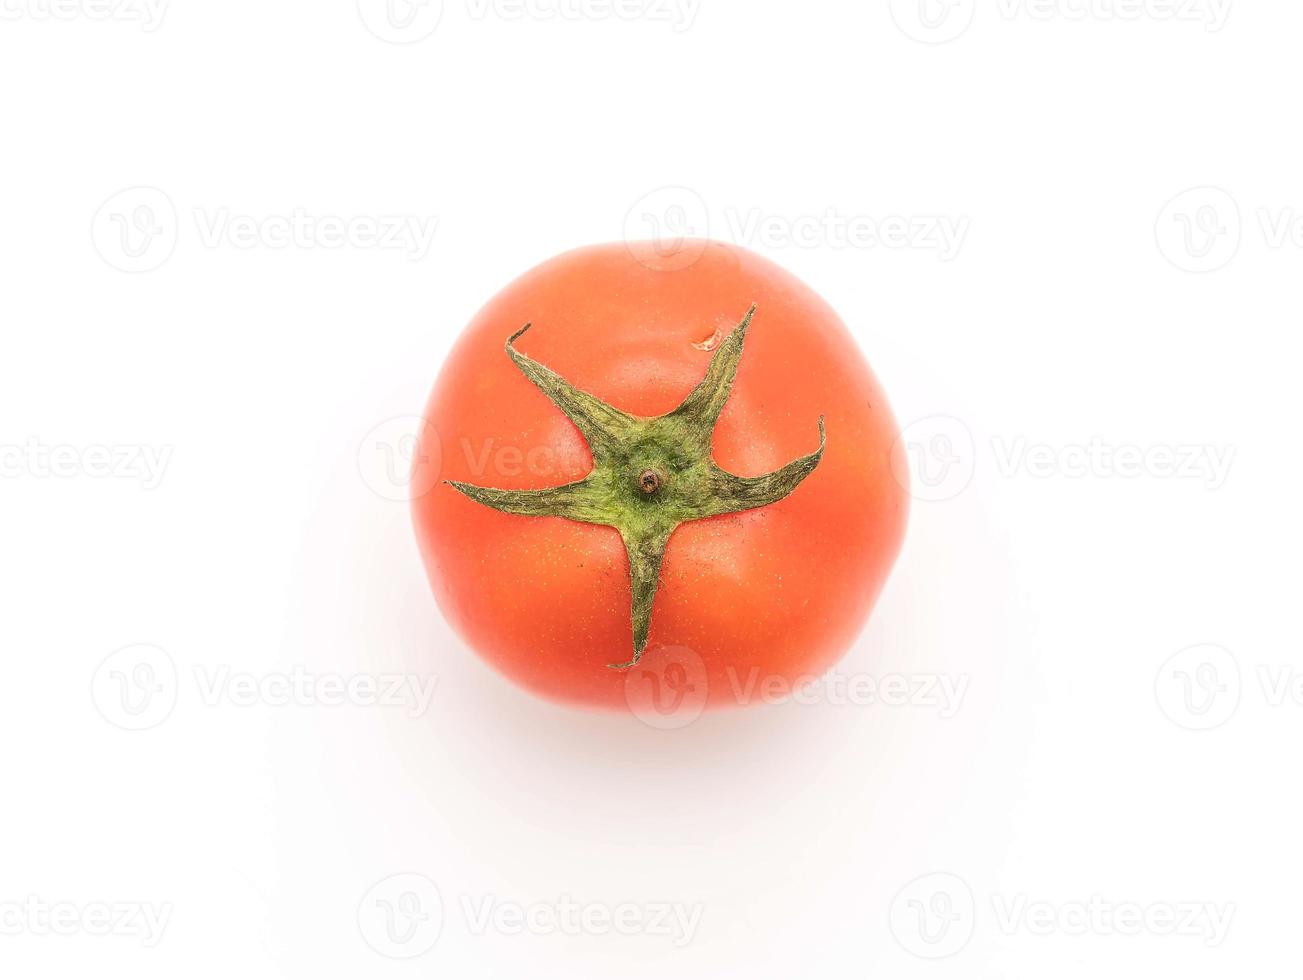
1069 377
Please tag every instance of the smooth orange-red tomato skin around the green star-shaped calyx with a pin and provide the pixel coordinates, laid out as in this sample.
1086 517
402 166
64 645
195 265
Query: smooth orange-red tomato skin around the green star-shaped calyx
779 592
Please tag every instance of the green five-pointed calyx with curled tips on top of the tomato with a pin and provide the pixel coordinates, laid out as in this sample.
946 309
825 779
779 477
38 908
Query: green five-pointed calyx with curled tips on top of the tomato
650 475
